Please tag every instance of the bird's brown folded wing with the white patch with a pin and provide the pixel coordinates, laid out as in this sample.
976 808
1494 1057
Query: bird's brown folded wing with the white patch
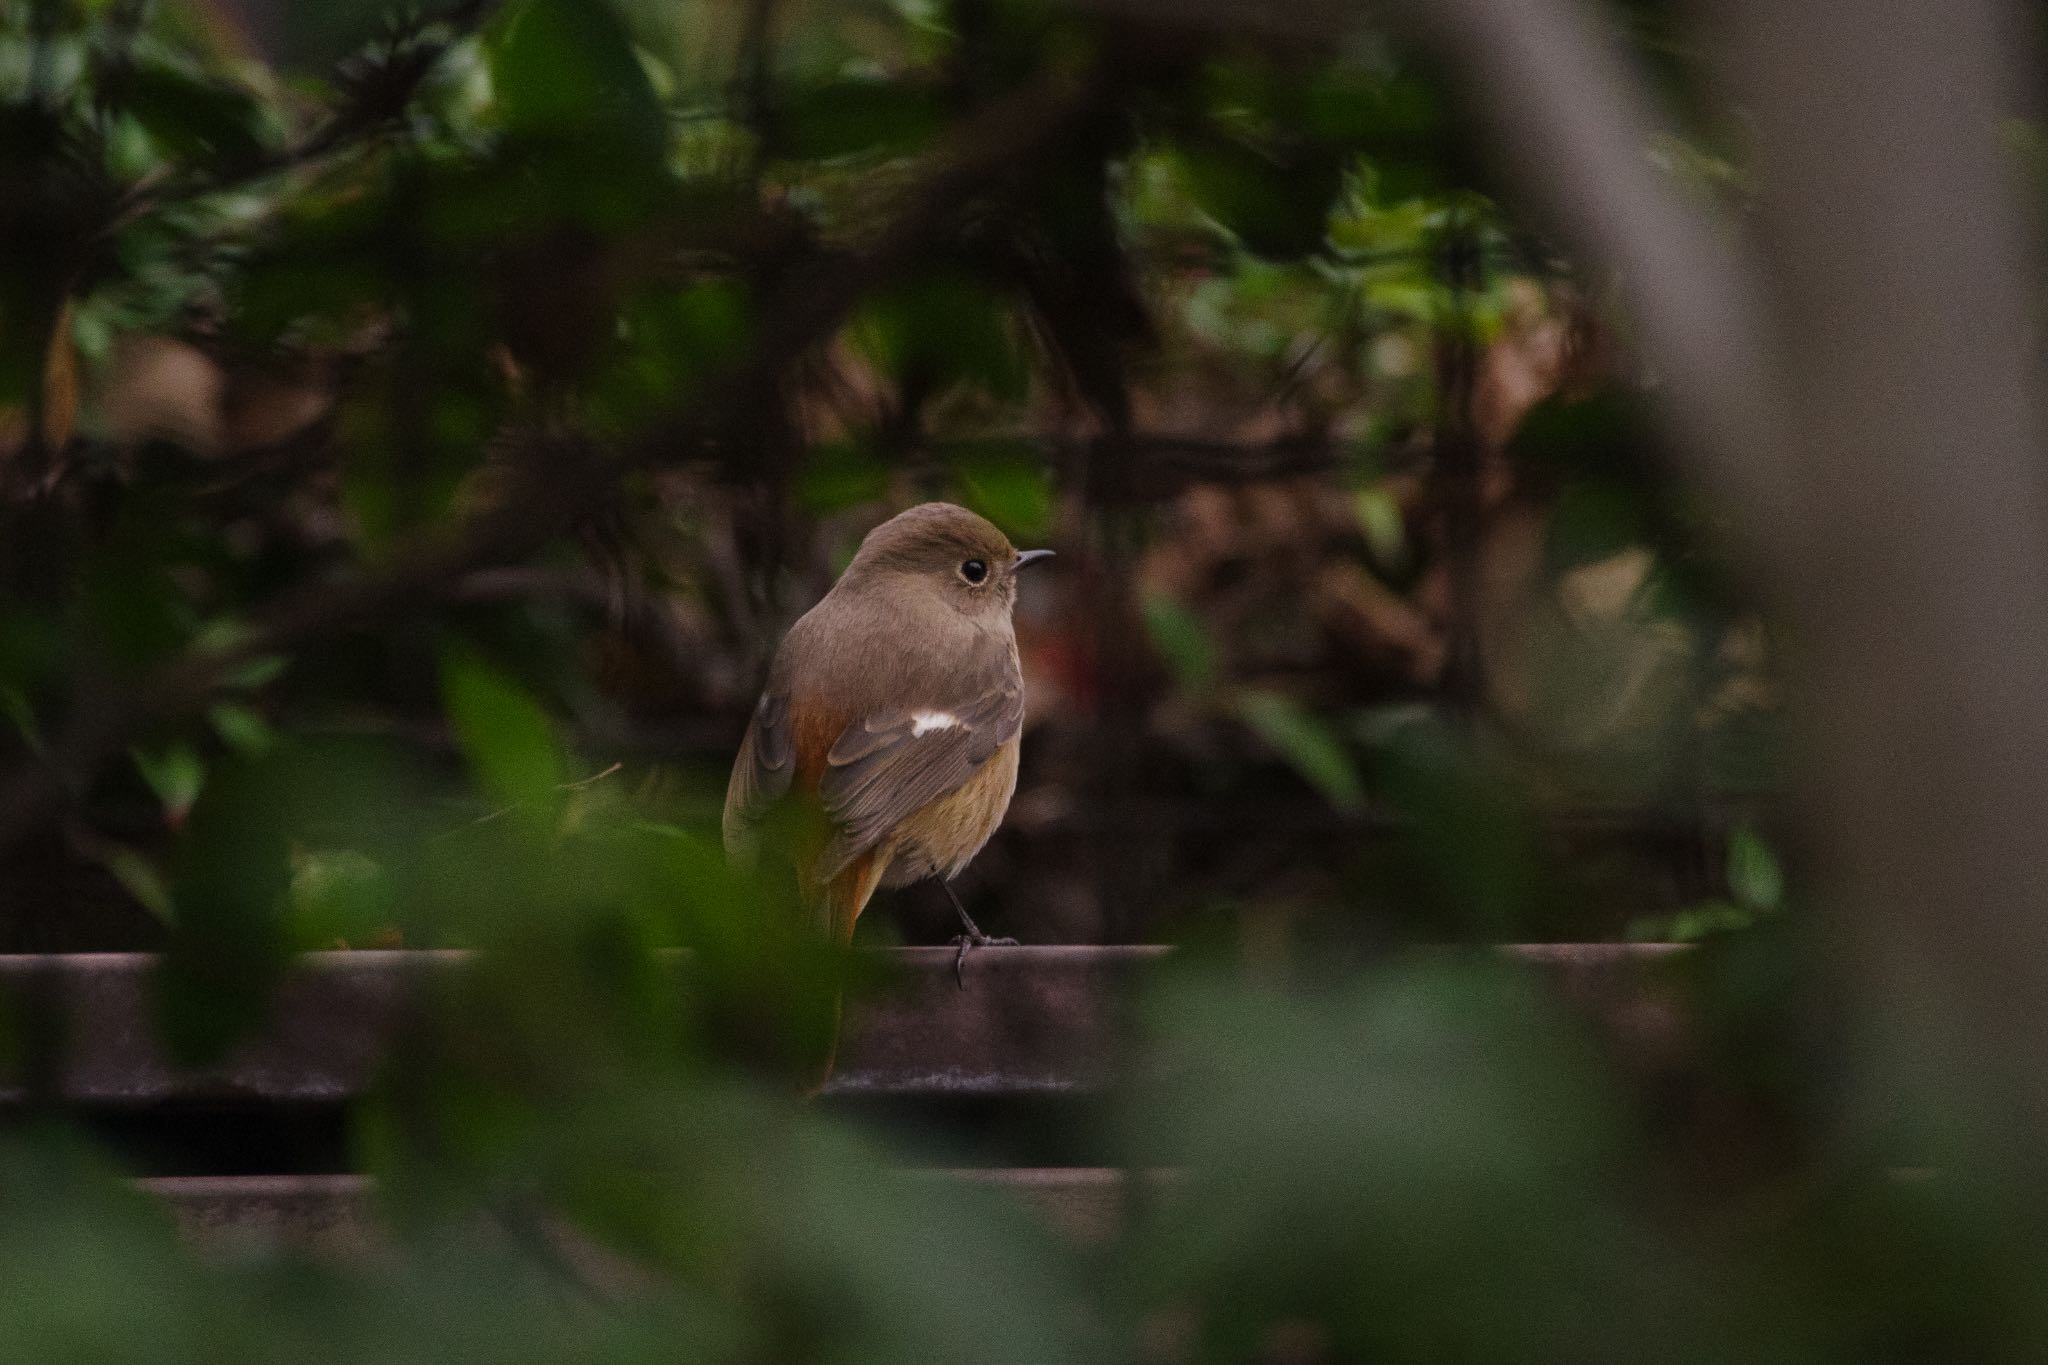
890 764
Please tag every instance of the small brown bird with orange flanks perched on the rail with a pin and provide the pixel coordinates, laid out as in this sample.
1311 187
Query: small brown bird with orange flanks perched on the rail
894 711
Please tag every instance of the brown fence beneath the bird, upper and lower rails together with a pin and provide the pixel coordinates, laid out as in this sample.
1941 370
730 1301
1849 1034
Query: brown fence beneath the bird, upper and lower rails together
255 1151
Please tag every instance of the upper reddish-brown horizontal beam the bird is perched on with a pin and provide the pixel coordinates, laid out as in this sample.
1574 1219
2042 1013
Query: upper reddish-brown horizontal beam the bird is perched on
1025 1022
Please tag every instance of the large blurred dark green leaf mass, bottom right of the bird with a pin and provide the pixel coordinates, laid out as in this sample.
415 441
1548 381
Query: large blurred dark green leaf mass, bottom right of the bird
1418 1165
